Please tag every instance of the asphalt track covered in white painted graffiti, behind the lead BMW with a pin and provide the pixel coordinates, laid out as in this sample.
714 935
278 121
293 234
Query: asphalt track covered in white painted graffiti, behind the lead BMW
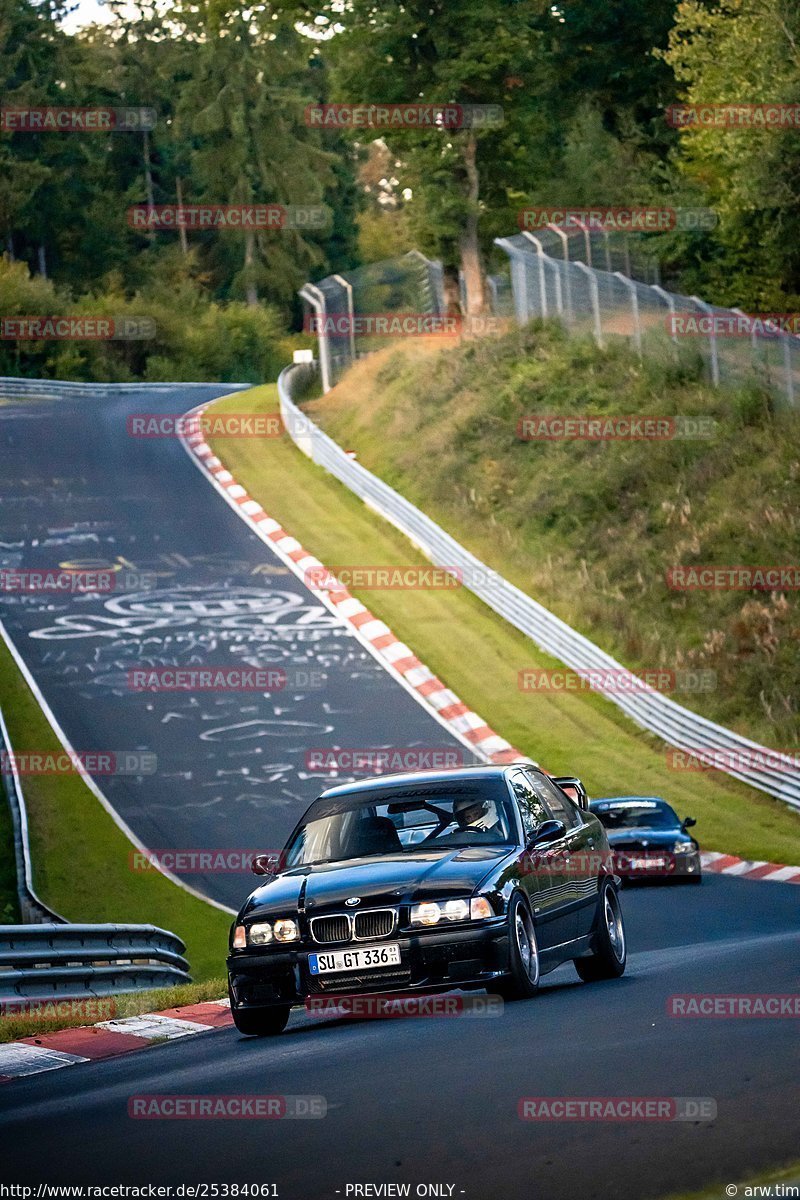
195 587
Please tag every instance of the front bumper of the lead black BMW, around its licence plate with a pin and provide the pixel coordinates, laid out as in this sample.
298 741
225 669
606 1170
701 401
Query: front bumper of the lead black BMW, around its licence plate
430 962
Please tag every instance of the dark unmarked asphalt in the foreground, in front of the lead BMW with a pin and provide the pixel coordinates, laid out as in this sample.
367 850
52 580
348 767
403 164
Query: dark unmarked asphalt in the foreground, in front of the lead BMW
436 1101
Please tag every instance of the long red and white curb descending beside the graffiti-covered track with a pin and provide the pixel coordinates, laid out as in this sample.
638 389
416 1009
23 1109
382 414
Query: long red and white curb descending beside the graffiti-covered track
394 656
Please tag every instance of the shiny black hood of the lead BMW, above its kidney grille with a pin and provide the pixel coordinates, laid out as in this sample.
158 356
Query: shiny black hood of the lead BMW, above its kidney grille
395 879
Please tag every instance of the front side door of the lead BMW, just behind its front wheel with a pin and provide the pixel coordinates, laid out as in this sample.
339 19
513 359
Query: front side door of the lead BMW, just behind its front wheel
544 869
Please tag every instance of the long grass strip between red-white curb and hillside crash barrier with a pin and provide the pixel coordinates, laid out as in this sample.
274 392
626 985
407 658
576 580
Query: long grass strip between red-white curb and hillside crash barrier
479 656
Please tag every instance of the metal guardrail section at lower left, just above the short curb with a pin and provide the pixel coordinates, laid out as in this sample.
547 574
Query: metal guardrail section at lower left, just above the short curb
77 962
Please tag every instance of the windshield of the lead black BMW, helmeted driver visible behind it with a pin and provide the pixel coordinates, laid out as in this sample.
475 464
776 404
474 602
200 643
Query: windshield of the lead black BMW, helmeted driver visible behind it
394 823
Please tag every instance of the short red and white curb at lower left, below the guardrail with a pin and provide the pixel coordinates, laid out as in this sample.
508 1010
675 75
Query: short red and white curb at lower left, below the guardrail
107 1040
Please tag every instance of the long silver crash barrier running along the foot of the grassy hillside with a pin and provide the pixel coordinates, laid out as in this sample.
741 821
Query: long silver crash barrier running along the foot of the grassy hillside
653 711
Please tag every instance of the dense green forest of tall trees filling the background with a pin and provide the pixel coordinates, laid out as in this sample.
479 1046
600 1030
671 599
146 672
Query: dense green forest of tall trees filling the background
224 93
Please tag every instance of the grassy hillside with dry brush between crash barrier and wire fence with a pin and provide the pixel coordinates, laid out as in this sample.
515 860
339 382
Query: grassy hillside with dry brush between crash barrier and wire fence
591 529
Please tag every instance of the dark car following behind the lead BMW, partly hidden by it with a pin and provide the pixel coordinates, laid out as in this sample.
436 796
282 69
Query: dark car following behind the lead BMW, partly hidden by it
648 839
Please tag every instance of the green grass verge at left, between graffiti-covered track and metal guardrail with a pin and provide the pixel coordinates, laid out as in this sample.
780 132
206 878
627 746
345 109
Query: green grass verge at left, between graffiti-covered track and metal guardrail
82 859
